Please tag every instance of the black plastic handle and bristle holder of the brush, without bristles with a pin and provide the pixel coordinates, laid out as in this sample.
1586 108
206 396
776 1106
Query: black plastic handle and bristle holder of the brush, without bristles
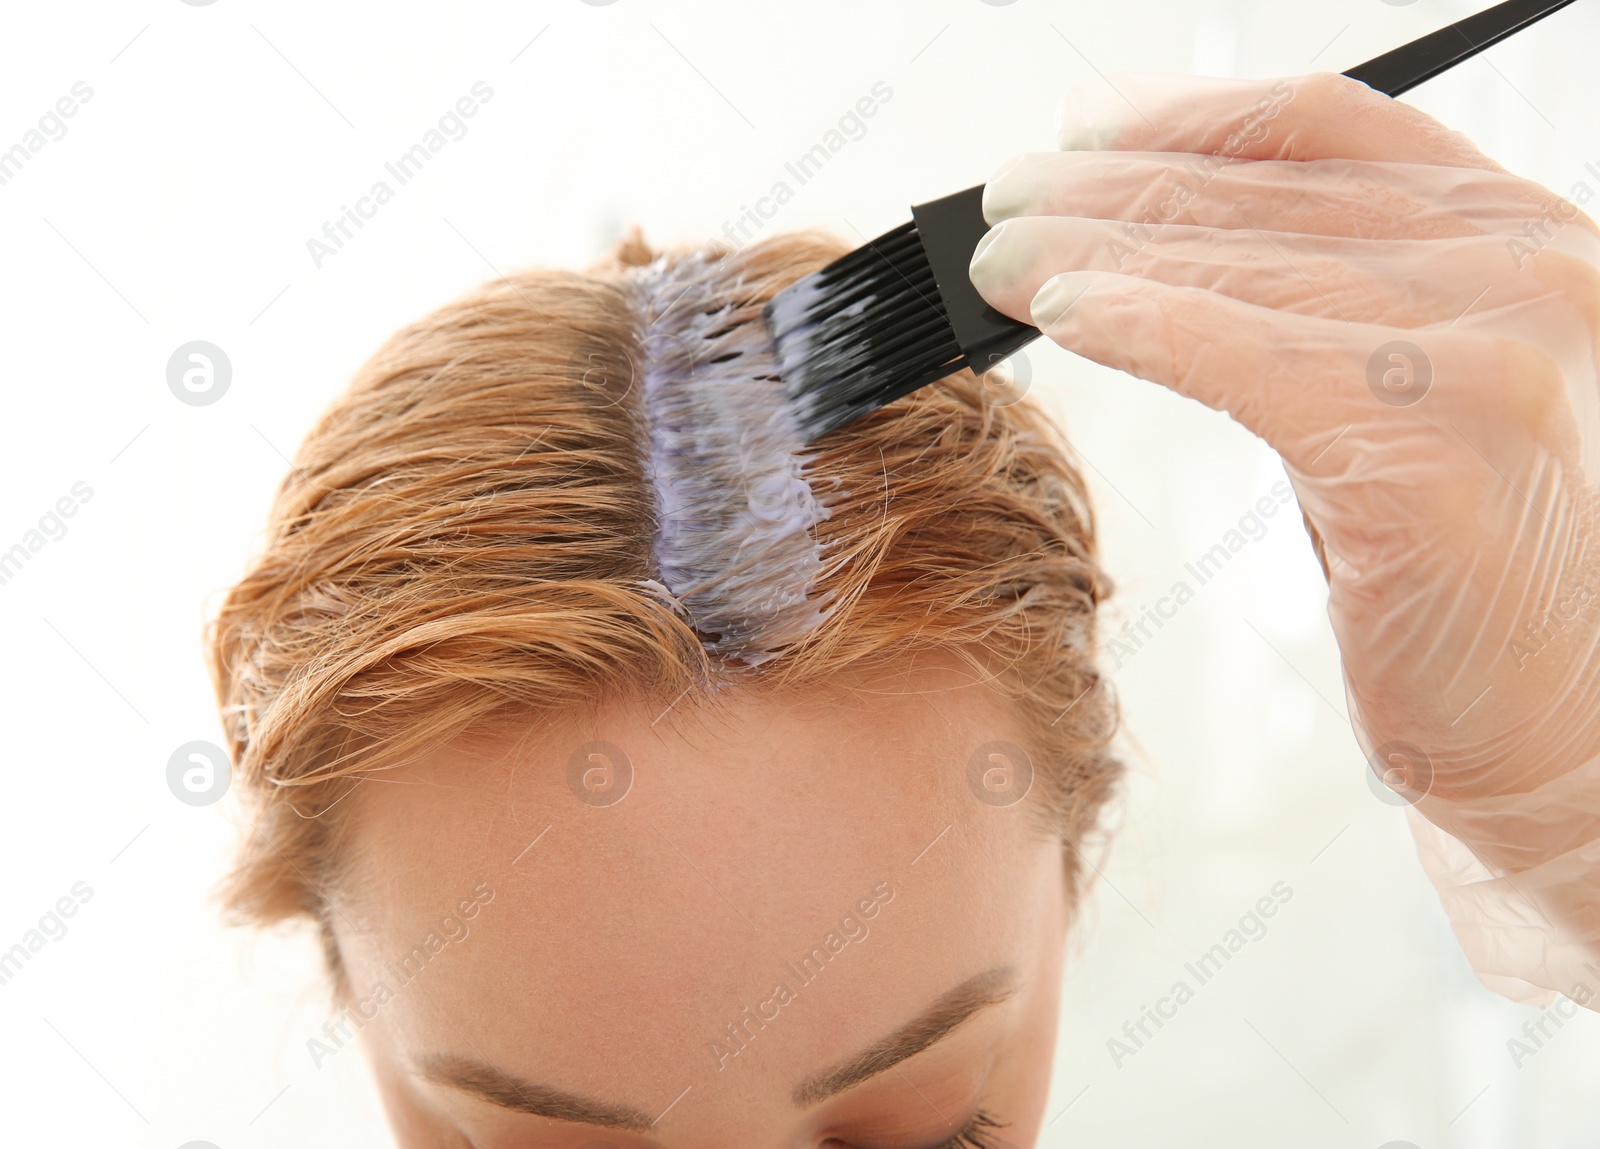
953 225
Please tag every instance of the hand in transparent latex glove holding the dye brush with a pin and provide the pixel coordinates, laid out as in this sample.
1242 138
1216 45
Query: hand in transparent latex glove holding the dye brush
1415 332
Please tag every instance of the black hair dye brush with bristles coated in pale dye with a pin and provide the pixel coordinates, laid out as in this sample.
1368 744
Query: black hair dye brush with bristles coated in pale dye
900 313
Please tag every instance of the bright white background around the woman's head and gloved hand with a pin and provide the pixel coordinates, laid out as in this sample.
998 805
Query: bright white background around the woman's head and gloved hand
178 207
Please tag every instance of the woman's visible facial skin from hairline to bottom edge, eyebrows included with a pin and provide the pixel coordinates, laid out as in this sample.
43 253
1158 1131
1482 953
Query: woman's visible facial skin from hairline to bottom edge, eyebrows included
617 943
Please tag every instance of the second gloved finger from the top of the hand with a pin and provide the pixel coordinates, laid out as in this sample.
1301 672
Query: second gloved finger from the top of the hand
1322 198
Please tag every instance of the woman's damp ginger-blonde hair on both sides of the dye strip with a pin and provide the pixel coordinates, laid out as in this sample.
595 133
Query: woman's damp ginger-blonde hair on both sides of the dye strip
468 538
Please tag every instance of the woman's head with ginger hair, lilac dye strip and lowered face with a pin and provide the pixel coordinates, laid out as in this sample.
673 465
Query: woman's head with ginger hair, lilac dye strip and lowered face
585 815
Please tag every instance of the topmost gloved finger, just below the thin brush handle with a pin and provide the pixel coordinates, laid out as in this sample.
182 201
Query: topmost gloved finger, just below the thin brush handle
1310 118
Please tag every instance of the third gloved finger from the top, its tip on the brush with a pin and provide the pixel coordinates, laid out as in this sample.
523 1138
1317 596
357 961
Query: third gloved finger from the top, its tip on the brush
1401 284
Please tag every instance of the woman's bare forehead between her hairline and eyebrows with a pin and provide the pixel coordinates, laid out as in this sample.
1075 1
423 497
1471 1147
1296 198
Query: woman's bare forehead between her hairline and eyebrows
638 881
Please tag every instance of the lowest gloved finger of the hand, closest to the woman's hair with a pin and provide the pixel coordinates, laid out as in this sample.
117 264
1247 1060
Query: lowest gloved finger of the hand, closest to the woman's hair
1298 382
